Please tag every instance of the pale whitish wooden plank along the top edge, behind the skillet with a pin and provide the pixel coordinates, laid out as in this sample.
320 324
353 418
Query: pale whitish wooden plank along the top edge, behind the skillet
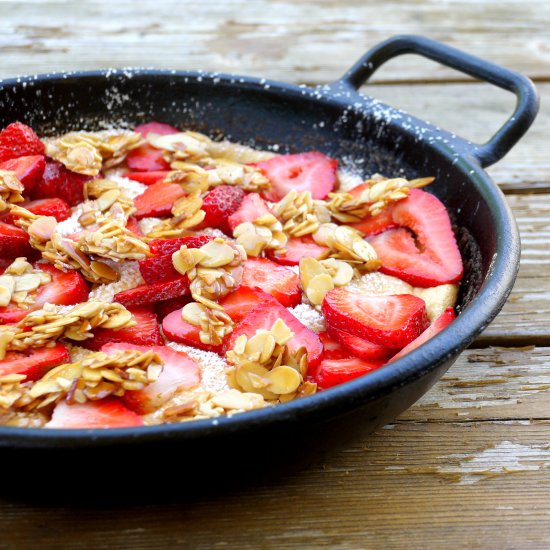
300 41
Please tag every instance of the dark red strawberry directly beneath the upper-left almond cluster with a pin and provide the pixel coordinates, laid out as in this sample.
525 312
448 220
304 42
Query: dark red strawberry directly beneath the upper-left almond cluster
59 182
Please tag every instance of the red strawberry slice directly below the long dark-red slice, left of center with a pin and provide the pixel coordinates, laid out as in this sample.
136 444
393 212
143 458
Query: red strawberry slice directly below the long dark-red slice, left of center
146 332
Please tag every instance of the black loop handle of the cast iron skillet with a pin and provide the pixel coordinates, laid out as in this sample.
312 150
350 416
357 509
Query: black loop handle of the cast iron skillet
527 98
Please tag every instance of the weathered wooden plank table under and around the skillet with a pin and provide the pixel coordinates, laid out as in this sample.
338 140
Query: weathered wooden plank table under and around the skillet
467 466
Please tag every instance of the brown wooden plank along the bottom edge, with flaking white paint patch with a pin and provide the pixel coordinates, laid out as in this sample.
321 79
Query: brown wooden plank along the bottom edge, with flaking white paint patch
415 486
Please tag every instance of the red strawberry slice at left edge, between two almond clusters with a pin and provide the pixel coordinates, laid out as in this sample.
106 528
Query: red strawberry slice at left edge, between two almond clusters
64 289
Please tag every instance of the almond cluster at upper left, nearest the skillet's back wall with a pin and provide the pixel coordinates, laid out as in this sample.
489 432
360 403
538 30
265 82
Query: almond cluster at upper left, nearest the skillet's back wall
89 152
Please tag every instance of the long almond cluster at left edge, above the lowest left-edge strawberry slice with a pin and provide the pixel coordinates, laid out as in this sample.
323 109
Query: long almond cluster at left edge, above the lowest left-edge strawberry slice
45 326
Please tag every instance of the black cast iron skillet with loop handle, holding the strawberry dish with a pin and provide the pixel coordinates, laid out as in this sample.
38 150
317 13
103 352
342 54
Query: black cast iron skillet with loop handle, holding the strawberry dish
356 129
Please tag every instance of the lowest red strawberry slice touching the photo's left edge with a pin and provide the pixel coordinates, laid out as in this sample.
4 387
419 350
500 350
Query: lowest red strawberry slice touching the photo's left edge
34 362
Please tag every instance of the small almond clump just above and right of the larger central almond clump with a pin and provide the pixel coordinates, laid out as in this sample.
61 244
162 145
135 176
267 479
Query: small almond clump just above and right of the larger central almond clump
264 233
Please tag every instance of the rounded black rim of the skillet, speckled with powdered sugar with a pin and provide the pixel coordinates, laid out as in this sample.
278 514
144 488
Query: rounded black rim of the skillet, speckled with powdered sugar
341 399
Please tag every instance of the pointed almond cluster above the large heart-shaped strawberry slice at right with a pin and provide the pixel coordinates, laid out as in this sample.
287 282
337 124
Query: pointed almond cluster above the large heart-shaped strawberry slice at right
381 193
